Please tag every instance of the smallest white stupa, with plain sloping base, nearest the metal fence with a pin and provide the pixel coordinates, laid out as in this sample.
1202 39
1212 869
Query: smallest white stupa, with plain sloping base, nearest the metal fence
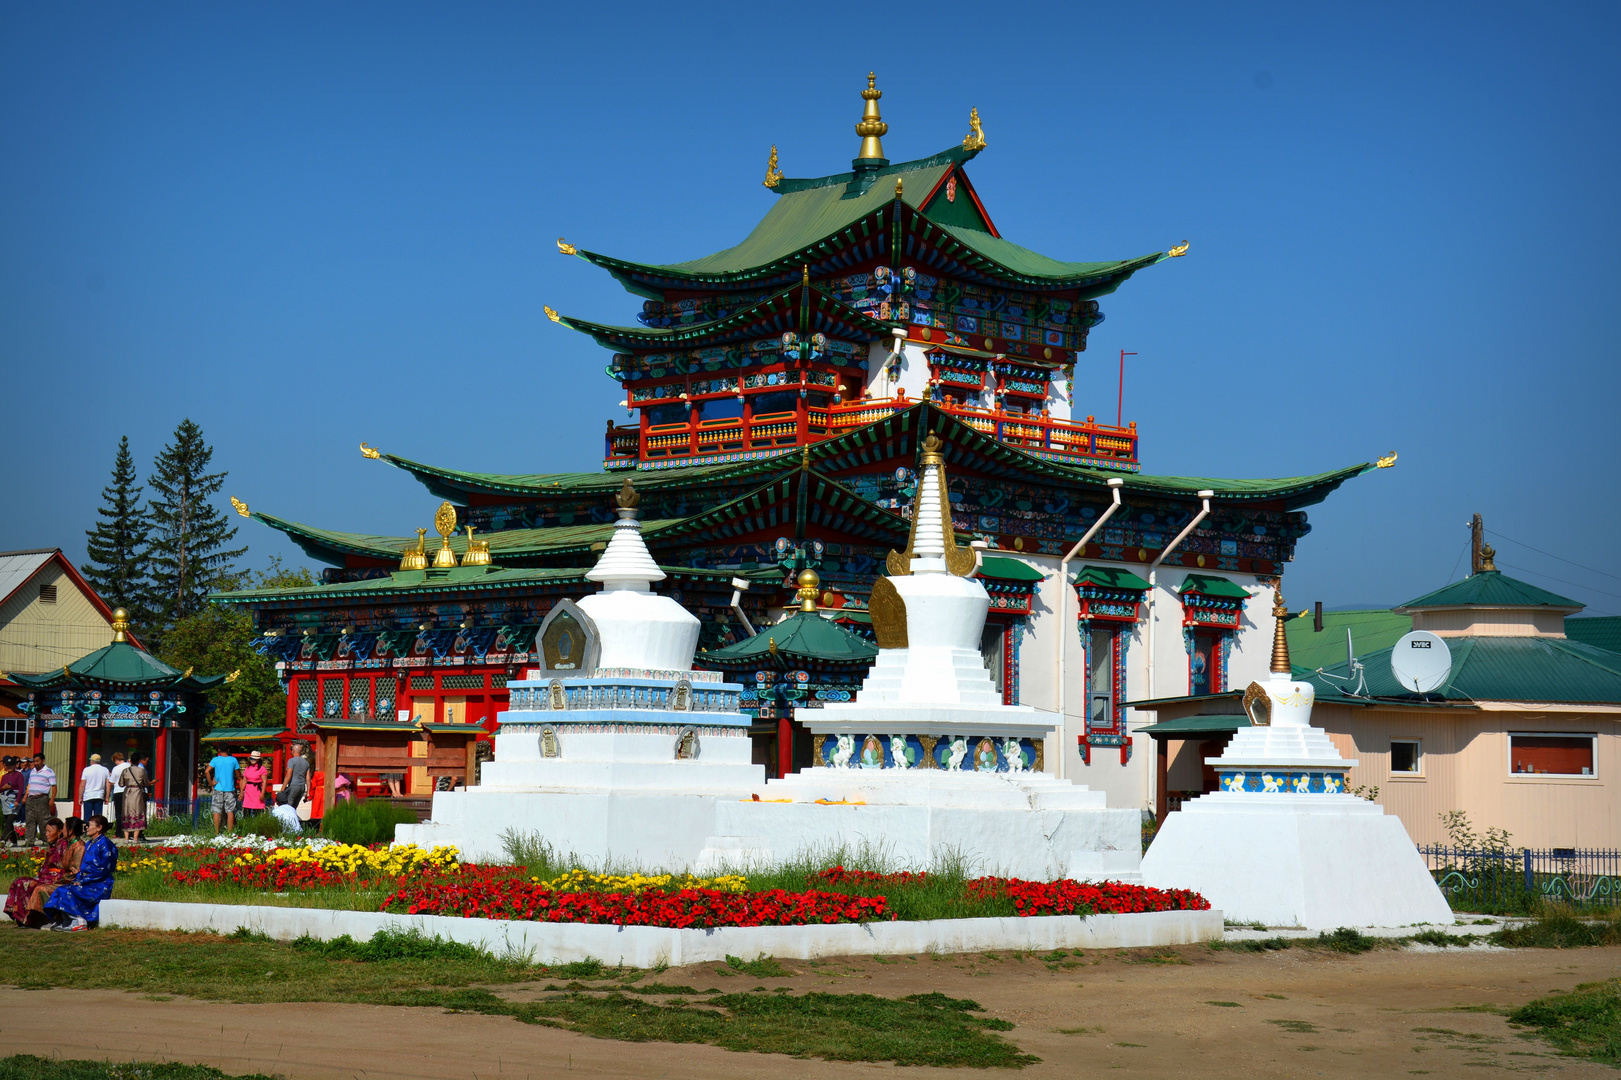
1283 842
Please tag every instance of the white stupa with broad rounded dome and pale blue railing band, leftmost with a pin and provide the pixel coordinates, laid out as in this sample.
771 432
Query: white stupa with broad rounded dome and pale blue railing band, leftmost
617 750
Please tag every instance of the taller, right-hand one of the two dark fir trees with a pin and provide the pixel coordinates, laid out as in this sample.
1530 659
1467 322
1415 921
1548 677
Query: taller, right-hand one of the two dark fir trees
187 555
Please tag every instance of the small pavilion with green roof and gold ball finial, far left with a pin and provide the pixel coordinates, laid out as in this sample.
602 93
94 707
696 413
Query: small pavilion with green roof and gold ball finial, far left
122 698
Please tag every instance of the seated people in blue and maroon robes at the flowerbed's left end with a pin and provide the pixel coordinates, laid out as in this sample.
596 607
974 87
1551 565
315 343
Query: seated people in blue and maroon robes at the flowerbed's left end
74 878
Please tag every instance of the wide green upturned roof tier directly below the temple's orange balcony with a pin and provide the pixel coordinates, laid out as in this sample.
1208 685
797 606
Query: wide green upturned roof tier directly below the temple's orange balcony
857 448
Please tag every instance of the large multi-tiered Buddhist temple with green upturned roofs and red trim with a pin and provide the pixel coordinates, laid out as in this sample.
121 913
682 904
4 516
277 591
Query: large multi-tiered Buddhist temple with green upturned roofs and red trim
781 395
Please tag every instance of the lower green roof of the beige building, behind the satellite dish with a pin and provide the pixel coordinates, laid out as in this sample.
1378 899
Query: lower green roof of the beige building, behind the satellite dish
1494 669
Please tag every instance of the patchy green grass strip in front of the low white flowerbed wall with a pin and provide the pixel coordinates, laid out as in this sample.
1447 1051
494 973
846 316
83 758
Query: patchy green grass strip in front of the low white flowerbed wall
427 972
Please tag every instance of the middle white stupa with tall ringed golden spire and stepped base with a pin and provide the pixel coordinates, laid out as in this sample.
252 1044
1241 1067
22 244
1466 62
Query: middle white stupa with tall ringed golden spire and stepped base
928 761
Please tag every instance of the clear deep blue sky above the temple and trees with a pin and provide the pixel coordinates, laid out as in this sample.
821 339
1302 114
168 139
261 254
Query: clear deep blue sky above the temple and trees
306 226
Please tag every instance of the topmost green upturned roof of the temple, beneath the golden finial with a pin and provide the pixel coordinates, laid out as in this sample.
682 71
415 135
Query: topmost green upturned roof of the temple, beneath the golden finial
821 225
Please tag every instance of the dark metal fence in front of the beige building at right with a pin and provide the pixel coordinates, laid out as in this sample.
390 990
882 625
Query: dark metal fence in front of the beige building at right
1516 880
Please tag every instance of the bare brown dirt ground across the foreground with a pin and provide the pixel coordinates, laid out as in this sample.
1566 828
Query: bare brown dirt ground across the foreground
1288 1014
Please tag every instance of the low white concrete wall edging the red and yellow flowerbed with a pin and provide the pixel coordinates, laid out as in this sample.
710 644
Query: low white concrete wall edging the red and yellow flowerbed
651 946
